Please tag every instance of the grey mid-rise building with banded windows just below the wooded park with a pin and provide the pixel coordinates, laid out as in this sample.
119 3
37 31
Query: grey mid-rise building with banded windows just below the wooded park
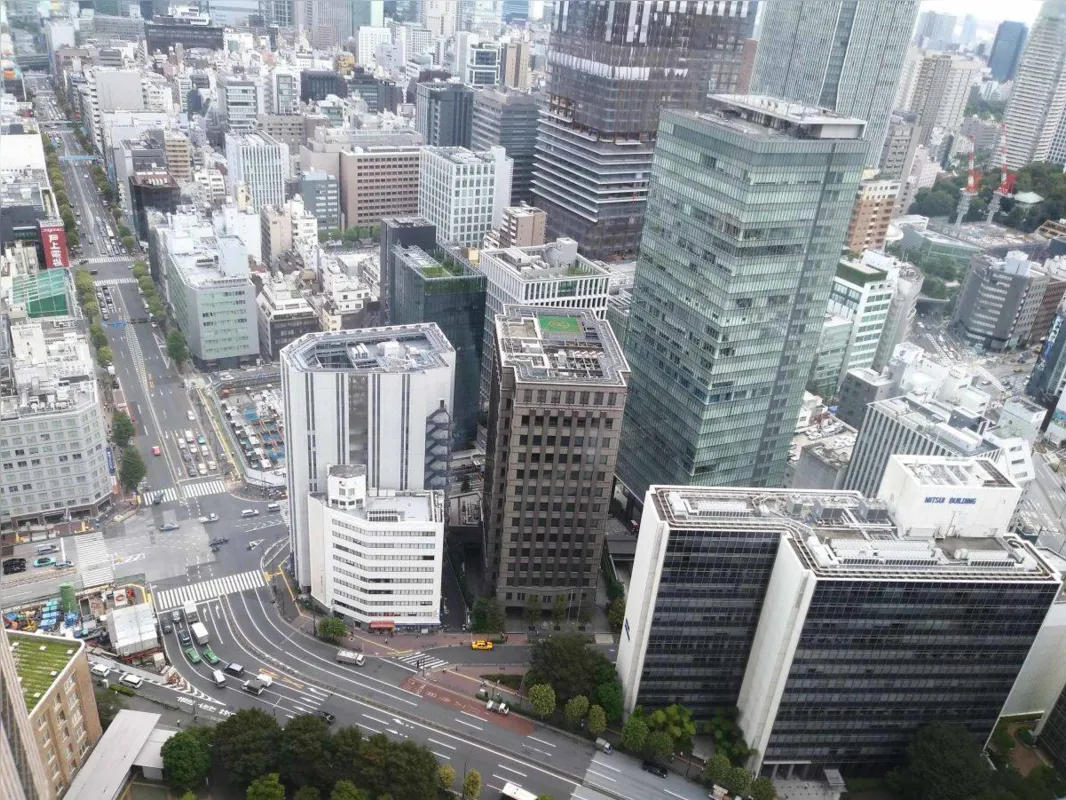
999 301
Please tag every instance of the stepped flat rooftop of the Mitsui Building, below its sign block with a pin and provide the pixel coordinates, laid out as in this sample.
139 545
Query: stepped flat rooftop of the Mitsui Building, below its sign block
847 537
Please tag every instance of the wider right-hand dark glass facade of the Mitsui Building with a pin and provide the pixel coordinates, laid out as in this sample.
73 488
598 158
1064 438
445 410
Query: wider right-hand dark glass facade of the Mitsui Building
878 660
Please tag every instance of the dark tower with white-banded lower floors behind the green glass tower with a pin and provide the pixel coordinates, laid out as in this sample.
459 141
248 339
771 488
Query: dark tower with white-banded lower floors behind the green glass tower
613 68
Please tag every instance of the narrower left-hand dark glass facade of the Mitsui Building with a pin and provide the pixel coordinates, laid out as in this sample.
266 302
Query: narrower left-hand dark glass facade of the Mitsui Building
707 611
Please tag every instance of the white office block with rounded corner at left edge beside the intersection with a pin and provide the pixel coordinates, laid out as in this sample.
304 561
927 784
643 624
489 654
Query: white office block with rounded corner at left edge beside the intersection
55 449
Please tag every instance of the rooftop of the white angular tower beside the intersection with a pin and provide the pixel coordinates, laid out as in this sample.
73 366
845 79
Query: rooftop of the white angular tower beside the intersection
396 349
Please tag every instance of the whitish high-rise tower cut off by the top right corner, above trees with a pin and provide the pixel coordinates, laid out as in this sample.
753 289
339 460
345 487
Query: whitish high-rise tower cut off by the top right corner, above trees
1035 113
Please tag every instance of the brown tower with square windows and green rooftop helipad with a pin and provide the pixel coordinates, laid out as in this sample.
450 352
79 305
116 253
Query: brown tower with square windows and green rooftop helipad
555 417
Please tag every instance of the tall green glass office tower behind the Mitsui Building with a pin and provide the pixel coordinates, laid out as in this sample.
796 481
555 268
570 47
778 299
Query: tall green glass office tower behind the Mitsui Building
719 349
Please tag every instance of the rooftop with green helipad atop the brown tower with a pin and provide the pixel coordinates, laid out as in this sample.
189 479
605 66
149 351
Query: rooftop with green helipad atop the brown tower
560 346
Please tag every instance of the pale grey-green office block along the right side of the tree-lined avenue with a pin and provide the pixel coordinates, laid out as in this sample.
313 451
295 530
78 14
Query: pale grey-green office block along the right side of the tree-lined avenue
211 292
